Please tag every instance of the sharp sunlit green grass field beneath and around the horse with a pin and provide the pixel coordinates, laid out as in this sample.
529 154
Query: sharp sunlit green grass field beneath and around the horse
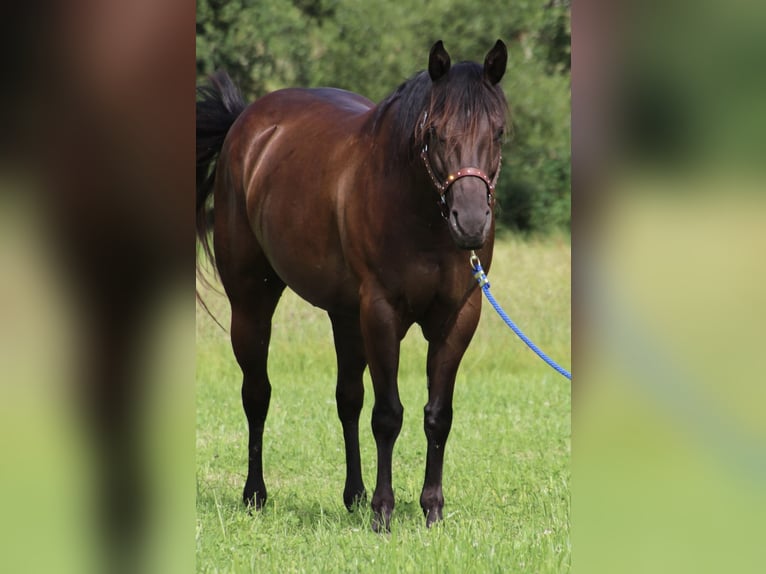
506 472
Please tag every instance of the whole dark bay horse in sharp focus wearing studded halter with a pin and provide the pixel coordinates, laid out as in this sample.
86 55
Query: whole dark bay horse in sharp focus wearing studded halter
367 212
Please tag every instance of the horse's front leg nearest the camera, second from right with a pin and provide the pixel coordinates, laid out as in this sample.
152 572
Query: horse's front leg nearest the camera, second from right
381 329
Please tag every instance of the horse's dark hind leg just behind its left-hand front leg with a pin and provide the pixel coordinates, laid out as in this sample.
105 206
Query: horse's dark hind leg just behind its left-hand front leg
349 396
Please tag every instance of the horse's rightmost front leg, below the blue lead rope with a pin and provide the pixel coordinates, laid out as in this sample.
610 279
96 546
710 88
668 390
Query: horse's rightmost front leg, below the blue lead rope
445 350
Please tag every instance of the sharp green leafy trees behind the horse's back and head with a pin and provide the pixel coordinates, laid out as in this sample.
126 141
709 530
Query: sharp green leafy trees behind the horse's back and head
371 47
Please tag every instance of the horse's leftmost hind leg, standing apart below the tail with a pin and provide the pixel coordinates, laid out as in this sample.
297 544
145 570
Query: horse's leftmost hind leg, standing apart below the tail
250 336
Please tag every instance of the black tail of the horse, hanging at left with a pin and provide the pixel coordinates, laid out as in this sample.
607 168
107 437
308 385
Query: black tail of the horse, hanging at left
218 106
